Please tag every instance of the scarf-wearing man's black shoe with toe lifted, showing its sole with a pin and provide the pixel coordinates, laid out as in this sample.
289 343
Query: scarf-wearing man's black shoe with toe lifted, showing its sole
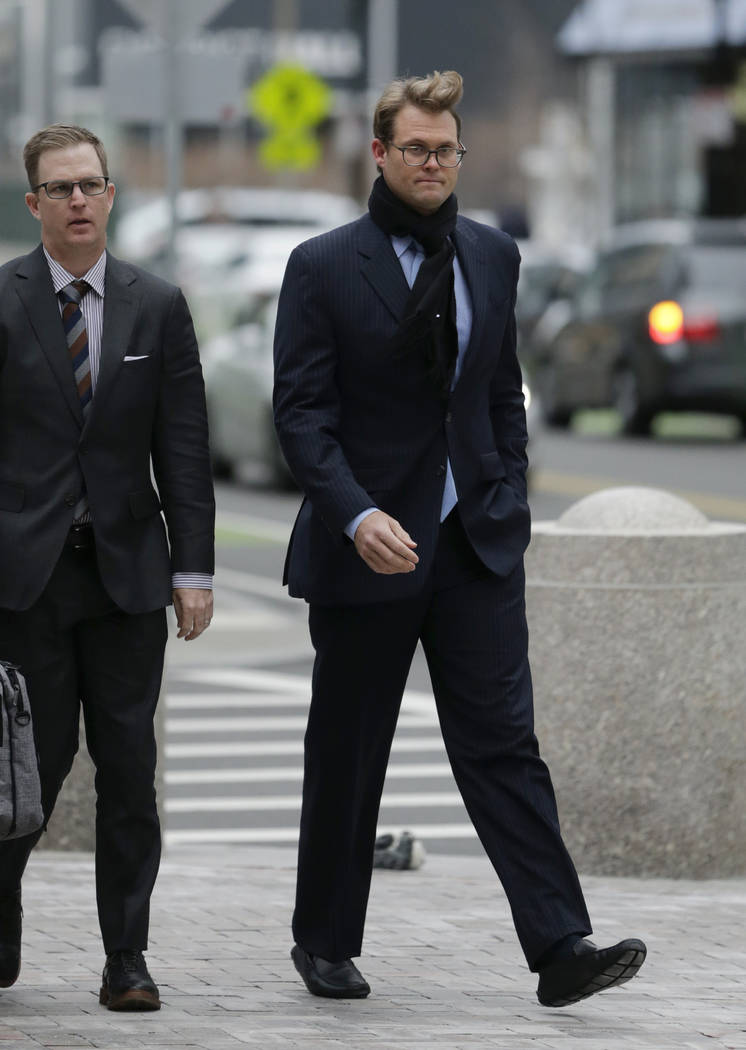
589 970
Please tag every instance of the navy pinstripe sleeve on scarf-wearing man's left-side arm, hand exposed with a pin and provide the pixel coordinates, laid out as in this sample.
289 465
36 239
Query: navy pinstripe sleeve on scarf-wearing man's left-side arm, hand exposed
306 398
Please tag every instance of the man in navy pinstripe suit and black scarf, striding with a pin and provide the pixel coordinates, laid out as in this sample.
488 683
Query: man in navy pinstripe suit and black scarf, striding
400 410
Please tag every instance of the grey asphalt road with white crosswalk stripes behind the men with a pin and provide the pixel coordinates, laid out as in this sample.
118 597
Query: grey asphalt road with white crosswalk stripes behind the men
237 699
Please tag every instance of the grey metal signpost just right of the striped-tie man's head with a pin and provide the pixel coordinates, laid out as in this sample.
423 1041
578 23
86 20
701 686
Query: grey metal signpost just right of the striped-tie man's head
173 129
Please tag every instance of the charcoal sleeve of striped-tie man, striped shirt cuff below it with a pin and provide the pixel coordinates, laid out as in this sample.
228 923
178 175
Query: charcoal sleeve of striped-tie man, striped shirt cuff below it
180 447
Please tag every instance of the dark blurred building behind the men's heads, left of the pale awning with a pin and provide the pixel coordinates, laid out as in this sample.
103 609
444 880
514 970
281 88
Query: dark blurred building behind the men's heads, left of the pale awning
107 69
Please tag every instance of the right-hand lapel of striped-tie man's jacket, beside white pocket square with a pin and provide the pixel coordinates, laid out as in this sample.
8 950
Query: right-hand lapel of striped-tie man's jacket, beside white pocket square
121 306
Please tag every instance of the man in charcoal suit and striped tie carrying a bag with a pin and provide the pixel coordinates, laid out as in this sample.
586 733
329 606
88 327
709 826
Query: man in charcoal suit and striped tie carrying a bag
100 380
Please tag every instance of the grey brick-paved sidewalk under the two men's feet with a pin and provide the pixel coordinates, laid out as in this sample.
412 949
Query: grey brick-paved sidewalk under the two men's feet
441 956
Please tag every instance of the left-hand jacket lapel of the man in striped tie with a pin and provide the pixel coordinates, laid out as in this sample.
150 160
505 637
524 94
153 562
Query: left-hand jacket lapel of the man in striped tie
37 295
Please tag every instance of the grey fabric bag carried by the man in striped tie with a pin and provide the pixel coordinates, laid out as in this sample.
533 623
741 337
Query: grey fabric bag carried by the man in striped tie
20 791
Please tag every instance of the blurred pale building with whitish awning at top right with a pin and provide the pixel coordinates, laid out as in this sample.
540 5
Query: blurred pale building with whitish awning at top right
664 98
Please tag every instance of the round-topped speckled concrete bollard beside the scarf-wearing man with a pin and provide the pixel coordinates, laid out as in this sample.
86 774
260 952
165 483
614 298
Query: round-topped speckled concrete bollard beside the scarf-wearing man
637 613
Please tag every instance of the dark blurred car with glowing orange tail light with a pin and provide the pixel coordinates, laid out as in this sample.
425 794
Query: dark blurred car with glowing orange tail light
659 324
